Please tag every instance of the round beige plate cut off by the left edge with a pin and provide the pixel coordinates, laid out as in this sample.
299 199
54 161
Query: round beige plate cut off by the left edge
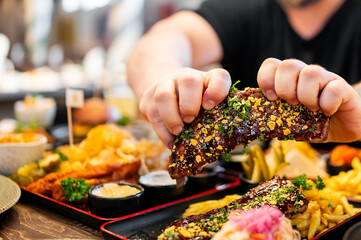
9 193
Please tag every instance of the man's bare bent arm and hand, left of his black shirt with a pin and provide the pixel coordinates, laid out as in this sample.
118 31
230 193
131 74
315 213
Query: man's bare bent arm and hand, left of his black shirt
167 92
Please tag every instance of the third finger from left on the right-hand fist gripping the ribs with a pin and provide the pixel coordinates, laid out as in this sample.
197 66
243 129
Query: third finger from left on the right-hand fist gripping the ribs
311 81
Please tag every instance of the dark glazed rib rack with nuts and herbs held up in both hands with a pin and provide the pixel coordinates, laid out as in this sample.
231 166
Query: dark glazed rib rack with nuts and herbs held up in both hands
241 118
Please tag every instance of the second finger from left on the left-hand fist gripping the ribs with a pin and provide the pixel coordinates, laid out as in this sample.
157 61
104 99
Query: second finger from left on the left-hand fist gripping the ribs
166 102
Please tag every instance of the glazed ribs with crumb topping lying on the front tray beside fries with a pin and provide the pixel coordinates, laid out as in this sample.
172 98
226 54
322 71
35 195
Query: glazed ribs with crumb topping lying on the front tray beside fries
278 193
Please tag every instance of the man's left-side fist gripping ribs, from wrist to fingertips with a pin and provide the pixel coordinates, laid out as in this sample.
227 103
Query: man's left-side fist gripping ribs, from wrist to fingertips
177 98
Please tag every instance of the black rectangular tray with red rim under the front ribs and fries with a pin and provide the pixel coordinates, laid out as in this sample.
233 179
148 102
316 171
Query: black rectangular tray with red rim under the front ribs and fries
149 225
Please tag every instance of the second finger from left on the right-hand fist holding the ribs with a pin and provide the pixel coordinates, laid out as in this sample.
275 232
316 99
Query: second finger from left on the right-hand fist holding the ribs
286 78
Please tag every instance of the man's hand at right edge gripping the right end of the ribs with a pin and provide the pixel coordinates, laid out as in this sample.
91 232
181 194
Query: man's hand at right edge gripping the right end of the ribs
318 89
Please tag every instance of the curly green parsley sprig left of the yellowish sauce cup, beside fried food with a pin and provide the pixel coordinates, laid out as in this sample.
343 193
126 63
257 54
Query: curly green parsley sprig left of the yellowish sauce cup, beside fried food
75 189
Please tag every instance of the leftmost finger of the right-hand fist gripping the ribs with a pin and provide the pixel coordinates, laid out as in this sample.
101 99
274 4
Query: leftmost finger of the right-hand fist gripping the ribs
266 77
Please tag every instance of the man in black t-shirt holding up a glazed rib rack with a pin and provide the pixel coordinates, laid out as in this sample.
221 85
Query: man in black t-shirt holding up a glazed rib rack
249 37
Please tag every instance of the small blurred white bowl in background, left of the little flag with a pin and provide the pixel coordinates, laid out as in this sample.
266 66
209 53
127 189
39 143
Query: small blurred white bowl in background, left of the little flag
43 112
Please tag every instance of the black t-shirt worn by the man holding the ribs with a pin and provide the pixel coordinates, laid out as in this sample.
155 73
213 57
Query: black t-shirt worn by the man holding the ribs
253 30
